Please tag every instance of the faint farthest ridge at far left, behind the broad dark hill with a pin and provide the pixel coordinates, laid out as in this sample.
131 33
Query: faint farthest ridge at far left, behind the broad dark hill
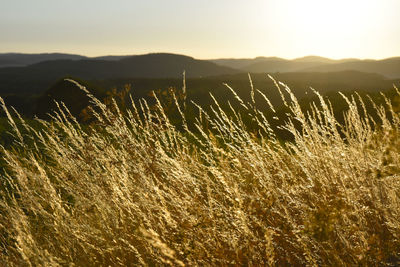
20 59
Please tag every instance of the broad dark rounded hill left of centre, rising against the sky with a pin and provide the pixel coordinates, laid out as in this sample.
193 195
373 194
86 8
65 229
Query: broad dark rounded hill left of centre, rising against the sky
38 77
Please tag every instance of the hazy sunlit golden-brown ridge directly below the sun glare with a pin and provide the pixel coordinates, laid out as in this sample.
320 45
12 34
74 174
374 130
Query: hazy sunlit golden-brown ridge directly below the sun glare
390 68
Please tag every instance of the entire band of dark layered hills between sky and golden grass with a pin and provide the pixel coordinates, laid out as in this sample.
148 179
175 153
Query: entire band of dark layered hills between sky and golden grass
33 76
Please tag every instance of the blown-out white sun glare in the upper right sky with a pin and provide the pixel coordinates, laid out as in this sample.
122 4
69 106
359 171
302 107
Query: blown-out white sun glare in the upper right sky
330 28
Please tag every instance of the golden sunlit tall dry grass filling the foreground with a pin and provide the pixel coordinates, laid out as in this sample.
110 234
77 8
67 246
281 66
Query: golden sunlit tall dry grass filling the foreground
133 189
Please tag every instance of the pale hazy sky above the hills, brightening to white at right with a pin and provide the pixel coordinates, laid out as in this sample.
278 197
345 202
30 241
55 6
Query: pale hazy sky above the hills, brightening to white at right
203 28
